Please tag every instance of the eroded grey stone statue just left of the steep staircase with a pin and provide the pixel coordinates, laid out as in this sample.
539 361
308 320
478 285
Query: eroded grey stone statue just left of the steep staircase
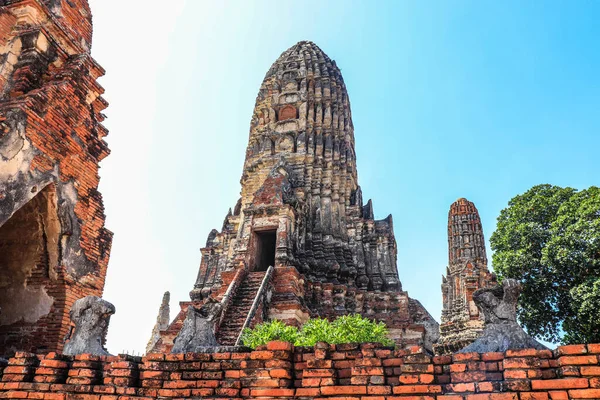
198 330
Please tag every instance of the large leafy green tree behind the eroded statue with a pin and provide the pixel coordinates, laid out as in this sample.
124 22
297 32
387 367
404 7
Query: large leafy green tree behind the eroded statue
549 239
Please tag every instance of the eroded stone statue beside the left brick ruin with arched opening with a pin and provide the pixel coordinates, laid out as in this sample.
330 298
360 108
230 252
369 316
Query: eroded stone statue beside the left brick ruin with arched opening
90 316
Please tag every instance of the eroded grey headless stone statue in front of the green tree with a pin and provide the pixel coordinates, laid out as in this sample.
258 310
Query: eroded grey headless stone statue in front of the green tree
502 332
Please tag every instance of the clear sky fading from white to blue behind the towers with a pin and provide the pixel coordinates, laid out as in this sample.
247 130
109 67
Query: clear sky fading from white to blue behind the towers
475 99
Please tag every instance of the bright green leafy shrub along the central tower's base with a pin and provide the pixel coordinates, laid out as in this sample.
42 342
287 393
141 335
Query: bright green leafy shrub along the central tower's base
346 329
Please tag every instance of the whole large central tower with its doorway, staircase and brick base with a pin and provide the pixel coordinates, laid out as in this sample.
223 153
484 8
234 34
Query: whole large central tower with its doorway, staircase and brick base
300 242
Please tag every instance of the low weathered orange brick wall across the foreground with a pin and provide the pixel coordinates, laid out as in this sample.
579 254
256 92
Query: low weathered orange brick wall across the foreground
278 370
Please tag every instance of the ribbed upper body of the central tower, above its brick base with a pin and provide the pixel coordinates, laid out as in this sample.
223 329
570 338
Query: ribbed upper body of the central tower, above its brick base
300 185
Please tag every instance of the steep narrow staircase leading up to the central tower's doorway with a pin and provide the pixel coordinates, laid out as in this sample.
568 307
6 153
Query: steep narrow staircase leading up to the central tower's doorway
238 310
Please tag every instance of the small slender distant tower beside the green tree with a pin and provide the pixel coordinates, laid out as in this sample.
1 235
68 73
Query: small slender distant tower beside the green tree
467 271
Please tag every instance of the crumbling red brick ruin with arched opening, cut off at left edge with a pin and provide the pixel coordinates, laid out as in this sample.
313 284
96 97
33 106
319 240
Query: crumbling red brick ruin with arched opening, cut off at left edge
54 248
